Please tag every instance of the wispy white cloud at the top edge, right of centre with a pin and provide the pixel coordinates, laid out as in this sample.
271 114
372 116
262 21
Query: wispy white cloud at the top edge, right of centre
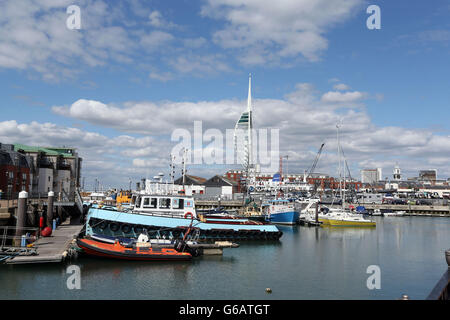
266 31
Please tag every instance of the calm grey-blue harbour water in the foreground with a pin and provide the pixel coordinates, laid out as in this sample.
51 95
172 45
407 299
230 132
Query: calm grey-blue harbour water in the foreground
307 263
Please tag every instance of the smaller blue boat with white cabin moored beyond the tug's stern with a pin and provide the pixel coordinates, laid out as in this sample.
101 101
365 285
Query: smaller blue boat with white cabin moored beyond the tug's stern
282 212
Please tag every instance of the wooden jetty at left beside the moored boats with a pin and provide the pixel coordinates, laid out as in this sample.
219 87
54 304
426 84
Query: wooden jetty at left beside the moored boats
53 248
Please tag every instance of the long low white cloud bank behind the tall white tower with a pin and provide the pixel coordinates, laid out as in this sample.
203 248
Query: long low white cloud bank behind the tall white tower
304 118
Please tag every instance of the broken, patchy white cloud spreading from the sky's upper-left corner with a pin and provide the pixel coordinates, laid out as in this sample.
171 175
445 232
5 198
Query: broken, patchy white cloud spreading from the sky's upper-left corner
34 38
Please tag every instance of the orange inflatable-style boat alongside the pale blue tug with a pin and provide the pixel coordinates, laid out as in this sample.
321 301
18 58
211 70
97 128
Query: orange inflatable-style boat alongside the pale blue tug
141 252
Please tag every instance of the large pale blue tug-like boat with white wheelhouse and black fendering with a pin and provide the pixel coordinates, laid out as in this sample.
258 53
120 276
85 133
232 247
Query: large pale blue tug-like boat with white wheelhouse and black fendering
169 217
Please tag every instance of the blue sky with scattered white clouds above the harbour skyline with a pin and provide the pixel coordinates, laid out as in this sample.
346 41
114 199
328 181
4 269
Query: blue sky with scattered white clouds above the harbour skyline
135 71
